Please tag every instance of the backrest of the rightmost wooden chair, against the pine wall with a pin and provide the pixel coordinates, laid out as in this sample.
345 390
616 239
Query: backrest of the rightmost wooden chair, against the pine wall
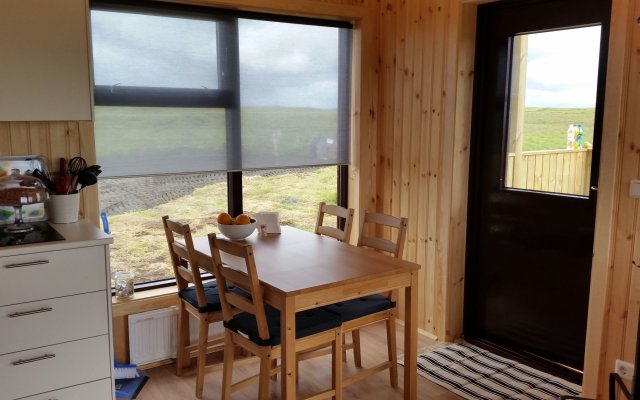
394 247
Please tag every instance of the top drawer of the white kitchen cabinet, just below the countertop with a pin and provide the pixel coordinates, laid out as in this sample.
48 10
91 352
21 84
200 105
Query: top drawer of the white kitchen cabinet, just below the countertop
50 274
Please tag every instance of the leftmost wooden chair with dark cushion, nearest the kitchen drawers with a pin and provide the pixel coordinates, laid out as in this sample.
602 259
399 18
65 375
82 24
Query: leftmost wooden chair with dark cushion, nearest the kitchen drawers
200 300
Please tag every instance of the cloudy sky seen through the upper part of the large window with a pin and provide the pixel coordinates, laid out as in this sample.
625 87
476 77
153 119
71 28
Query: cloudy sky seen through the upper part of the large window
280 64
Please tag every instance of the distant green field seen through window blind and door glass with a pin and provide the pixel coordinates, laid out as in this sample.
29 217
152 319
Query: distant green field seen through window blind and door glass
158 128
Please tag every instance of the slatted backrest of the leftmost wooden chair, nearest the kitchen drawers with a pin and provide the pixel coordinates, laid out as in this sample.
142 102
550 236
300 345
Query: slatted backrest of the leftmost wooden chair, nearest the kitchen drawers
185 262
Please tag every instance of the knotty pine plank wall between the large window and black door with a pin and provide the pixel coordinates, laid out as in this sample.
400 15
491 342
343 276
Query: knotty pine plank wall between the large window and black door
420 154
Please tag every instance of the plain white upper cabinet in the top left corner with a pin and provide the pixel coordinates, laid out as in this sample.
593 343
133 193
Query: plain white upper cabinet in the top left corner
44 60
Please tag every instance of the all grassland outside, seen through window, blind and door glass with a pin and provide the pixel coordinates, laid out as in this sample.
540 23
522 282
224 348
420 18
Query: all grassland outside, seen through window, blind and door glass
139 239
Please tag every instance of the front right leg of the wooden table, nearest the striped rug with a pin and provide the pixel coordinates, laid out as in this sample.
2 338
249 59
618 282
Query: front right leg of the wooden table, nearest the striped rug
411 338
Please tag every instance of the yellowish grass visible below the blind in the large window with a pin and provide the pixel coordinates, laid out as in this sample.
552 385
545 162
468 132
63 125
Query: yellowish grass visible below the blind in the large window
139 241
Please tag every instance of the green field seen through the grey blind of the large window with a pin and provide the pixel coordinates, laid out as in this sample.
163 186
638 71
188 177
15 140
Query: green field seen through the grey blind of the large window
132 130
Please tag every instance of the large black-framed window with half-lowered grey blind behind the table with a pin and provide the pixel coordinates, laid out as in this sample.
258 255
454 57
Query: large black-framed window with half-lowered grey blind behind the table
199 111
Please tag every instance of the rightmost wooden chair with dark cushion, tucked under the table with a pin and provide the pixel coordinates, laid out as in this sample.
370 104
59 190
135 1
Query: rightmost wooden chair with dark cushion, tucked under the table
367 310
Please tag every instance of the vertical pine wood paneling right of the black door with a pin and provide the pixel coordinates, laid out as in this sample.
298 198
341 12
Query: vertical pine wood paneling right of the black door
603 338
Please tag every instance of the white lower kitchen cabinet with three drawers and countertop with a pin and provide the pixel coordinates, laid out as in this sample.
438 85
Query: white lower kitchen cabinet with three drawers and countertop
55 317
